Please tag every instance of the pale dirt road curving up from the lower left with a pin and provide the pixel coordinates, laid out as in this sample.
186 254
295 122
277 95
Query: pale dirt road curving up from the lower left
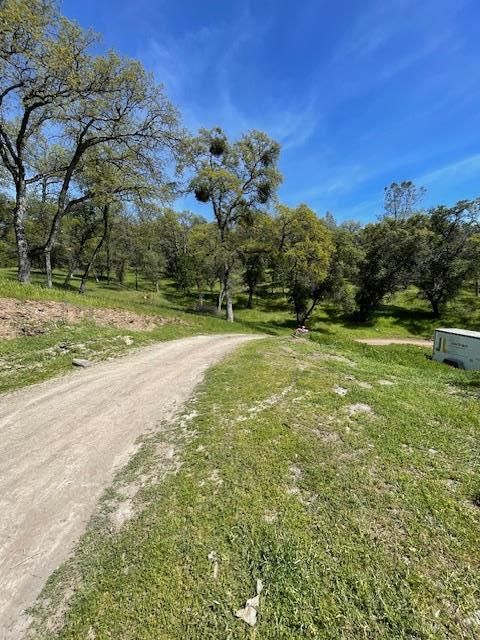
60 443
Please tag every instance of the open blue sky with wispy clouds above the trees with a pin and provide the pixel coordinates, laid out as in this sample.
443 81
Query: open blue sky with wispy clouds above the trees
358 92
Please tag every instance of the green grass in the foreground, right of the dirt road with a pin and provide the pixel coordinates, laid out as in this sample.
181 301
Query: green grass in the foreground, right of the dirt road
359 525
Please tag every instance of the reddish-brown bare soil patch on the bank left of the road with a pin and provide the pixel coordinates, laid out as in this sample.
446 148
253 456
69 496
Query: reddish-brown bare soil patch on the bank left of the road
34 317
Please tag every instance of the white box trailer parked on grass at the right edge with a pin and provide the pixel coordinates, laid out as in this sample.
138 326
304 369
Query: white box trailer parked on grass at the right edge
457 347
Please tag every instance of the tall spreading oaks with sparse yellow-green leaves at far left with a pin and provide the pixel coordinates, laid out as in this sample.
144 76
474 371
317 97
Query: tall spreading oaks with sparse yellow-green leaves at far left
115 123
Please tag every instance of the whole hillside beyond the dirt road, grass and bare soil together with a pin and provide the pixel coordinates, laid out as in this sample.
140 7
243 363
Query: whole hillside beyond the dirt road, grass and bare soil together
46 329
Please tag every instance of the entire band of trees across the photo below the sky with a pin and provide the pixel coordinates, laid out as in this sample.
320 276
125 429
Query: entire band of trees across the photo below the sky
93 154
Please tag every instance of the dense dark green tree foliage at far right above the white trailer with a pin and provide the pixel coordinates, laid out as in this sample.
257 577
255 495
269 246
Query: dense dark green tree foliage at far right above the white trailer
434 251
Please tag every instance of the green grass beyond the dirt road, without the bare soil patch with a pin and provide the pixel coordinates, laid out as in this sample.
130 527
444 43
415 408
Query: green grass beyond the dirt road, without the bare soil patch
30 359
